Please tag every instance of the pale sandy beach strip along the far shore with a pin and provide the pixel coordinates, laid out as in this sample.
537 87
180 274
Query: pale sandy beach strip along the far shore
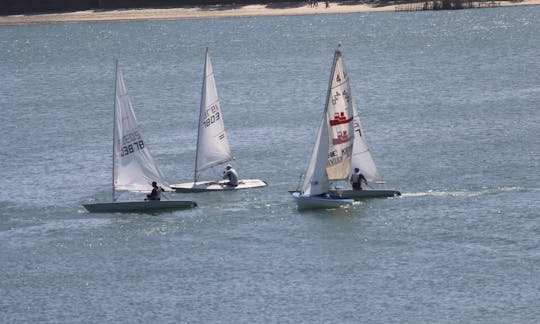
221 11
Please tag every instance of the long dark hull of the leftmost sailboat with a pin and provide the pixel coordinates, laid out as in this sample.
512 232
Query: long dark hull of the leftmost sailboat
139 206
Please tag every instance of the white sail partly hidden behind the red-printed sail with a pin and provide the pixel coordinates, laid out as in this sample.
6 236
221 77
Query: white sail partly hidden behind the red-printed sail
361 157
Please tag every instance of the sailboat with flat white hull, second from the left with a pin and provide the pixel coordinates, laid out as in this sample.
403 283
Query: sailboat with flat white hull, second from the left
212 143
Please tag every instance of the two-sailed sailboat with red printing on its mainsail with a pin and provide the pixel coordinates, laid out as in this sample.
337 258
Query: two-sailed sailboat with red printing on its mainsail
331 156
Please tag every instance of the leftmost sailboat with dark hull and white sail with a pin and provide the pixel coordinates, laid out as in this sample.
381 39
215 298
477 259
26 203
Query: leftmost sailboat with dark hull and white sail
134 168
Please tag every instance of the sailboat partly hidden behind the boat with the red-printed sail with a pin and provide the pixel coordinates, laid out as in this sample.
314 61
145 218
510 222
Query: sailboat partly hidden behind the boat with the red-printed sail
362 159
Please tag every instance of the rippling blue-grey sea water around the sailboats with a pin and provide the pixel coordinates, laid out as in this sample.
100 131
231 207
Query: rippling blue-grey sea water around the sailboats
449 103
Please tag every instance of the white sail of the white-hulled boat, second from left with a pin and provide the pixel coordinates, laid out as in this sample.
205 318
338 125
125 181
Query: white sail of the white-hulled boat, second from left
212 144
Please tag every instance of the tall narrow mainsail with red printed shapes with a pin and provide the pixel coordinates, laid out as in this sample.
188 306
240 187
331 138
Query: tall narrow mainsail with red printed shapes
339 113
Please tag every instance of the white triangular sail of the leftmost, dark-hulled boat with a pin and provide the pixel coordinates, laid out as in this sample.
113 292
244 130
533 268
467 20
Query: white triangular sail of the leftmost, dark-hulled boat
134 167
